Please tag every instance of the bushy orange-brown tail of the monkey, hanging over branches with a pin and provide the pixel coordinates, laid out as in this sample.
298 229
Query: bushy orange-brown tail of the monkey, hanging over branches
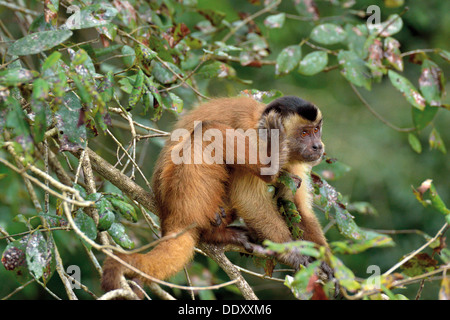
163 261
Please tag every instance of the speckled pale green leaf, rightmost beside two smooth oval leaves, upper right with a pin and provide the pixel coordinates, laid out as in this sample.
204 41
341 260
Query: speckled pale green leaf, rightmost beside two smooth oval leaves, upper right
354 69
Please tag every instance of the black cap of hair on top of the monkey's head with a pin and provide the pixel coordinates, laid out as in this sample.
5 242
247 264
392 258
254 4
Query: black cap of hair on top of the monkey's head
292 104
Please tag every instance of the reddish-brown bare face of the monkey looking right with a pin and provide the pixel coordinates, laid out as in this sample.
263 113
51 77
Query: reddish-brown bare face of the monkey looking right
305 143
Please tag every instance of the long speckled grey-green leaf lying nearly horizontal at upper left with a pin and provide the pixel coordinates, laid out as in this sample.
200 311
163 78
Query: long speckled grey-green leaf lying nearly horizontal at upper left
39 42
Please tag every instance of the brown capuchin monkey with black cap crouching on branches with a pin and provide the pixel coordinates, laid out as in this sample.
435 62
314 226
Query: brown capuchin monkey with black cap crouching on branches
209 185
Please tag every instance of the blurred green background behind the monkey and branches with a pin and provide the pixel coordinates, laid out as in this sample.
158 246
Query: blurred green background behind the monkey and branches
383 165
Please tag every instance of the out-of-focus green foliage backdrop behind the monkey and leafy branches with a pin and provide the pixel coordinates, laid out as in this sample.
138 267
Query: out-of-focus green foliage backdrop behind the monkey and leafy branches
383 164
